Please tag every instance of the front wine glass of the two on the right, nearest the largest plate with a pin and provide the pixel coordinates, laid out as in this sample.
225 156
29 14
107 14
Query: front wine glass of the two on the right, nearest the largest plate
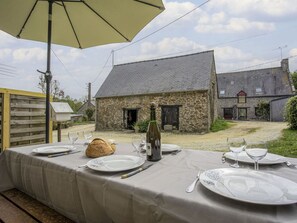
257 152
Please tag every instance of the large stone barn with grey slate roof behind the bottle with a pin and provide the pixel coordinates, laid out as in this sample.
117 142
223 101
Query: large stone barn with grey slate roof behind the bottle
183 87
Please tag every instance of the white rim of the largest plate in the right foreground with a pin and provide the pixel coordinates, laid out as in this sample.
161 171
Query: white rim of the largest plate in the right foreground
208 183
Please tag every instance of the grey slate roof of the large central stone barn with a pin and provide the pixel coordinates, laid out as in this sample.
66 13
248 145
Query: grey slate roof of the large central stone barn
182 73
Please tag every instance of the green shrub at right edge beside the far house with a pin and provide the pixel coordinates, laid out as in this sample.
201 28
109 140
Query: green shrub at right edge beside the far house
291 112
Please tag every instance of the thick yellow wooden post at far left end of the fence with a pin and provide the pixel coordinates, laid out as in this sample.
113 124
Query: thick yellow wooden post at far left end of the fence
6 121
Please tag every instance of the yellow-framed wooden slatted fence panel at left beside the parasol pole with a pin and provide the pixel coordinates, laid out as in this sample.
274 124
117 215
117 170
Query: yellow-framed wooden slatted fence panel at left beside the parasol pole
22 118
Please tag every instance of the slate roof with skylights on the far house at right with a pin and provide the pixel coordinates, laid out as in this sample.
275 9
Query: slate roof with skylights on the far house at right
261 82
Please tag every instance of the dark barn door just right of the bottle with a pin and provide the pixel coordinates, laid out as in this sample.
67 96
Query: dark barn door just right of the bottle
170 116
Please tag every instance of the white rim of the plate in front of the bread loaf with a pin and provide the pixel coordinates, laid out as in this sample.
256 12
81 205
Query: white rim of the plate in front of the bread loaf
139 163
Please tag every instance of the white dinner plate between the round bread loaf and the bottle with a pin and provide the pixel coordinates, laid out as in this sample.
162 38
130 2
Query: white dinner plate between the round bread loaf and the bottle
115 163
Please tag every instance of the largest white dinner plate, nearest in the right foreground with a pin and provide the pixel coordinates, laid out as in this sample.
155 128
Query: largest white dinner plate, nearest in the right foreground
250 186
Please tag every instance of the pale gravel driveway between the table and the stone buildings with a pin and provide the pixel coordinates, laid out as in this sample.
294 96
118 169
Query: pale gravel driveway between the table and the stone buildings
252 131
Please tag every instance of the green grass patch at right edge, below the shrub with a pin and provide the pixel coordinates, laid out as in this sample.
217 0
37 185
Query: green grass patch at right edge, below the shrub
286 145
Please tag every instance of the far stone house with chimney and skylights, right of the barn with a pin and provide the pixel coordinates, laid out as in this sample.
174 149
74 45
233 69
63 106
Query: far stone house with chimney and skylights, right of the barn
241 93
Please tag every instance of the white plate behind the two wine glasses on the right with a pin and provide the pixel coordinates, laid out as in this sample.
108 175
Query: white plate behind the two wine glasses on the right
270 158
